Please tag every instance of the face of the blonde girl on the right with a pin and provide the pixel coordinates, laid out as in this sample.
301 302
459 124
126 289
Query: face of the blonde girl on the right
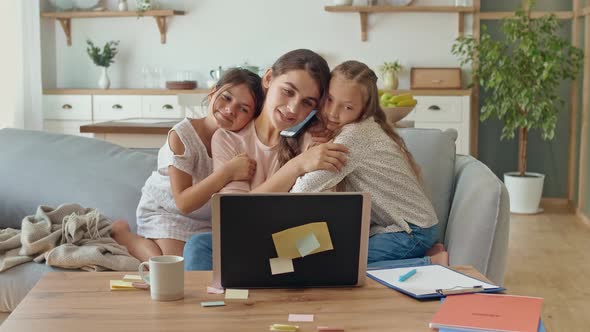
344 103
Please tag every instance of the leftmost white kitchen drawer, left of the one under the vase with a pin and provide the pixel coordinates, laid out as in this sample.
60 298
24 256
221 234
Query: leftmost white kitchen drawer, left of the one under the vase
67 107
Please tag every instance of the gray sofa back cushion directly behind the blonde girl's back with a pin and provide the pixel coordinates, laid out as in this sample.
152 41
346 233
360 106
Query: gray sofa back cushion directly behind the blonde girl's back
434 151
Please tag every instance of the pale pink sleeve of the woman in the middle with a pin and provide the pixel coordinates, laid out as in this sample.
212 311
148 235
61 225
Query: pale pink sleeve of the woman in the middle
224 146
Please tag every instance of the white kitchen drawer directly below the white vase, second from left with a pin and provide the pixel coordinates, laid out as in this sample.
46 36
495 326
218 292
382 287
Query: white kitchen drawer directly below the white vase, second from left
106 108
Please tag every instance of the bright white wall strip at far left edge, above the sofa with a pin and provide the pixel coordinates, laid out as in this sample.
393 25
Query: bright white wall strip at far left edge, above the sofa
11 64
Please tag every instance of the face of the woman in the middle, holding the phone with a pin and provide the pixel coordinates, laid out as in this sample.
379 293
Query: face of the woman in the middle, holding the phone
290 97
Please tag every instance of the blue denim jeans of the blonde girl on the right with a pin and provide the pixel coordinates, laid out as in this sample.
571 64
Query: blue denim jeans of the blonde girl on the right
398 249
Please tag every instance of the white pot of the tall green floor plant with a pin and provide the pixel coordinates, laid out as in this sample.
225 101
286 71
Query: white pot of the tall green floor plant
525 192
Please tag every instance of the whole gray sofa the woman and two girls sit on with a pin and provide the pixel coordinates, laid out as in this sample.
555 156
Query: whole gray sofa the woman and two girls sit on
39 168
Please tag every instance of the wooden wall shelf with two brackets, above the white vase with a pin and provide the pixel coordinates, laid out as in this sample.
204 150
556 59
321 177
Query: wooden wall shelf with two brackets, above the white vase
65 19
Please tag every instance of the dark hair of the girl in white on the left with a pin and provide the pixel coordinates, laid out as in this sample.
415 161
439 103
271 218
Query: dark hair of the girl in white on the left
237 76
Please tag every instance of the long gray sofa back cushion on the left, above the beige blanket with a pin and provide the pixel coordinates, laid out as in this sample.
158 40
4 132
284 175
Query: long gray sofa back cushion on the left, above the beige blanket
41 168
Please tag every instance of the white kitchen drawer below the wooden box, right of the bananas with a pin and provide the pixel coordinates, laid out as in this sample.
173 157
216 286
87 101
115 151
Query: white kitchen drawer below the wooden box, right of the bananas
438 109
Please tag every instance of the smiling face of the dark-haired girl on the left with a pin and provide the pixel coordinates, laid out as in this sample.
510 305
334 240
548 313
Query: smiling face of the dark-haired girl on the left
233 108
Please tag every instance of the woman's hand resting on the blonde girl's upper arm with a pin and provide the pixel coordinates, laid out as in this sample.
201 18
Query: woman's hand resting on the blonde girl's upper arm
326 156
